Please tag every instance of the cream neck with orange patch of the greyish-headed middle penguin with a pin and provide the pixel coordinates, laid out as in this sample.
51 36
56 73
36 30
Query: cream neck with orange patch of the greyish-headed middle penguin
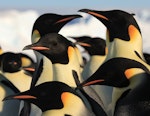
63 72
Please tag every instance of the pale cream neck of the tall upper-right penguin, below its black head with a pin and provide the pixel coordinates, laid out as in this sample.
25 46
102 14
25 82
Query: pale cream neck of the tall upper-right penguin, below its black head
120 48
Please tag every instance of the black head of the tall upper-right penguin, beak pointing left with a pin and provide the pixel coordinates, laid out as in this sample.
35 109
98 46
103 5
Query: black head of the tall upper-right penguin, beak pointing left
120 24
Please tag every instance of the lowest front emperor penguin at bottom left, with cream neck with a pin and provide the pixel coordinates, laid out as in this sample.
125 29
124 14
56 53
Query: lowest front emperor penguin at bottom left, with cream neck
54 98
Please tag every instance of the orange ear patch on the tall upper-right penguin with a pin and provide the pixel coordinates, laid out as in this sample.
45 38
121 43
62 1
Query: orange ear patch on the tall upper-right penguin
133 33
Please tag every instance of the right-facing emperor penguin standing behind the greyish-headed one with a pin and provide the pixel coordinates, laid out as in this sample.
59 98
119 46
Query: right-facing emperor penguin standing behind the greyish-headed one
47 23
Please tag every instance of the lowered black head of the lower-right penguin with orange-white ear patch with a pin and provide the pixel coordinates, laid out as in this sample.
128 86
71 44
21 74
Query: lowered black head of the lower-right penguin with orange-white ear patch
116 72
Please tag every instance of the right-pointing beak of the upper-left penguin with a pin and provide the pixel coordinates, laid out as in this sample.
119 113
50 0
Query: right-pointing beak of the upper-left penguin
68 18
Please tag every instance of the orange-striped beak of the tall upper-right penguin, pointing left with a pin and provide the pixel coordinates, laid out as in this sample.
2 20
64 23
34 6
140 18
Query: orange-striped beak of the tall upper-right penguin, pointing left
98 14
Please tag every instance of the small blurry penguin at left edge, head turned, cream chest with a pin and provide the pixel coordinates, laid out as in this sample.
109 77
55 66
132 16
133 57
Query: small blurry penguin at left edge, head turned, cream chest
15 67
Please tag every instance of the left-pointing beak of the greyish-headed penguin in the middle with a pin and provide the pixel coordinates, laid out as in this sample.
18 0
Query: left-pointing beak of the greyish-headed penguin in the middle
35 47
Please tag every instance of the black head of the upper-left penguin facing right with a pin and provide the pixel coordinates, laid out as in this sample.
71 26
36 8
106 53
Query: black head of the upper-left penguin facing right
50 23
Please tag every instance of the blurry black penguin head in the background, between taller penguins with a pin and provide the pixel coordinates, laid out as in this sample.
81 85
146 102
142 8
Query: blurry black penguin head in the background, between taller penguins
94 46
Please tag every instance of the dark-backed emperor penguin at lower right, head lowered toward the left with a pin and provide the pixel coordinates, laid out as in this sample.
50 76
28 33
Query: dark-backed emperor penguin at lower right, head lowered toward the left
134 99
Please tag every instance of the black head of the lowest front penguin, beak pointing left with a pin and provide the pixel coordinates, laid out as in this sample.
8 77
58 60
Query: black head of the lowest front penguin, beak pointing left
47 96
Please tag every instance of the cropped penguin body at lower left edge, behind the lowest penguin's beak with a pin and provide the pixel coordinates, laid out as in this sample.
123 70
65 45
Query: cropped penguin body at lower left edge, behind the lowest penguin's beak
10 107
